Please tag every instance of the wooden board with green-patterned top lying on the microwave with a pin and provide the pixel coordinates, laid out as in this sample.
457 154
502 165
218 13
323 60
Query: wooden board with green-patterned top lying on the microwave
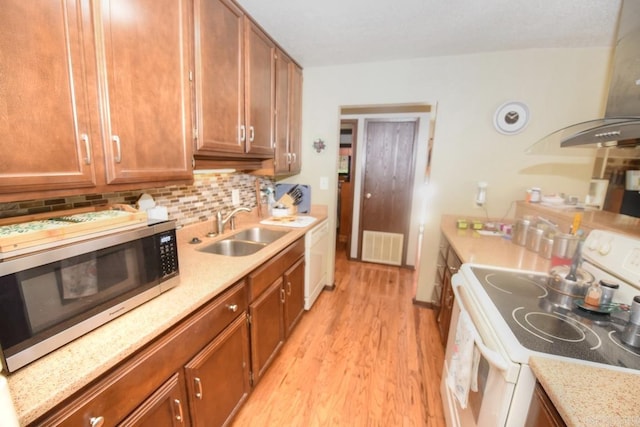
57 228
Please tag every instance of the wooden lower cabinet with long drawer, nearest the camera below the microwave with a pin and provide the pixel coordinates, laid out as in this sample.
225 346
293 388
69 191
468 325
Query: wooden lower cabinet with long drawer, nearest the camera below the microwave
148 388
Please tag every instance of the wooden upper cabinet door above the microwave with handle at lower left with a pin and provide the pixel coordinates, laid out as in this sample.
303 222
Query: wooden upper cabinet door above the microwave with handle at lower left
146 94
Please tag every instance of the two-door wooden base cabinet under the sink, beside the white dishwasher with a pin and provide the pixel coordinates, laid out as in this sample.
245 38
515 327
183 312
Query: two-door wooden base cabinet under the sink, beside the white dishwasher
276 293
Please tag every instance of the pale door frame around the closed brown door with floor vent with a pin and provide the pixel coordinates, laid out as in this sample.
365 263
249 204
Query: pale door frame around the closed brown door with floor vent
361 172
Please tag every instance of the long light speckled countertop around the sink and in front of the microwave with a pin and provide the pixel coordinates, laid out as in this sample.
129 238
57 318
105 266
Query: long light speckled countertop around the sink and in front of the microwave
46 382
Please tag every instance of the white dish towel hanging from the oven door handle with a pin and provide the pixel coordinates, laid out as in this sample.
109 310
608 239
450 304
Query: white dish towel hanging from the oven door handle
464 361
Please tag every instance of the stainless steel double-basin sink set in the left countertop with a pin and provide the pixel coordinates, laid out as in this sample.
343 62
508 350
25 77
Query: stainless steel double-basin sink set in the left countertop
245 242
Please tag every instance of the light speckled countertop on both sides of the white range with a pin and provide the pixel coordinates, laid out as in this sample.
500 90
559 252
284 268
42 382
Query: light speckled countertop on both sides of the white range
584 395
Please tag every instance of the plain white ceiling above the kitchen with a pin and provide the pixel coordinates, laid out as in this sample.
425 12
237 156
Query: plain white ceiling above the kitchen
332 32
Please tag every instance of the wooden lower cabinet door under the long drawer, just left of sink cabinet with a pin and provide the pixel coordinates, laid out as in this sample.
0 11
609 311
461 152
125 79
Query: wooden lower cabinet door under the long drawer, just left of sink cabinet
218 376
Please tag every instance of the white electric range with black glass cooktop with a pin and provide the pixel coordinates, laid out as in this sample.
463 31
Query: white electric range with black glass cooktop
513 314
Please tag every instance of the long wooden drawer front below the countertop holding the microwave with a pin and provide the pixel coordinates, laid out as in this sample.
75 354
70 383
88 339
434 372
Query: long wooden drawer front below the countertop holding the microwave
118 393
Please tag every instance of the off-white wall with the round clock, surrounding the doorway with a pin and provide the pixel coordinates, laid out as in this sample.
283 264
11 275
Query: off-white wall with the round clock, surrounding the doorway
560 86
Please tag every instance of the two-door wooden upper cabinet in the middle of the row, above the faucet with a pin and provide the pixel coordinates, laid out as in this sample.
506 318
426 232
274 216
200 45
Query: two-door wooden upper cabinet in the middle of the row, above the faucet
234 83
